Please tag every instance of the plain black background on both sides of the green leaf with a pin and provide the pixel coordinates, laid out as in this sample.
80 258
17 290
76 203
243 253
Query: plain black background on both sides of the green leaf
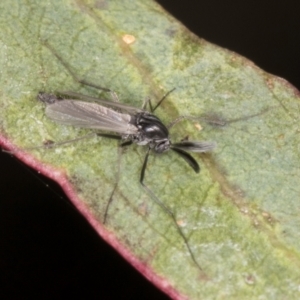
47 250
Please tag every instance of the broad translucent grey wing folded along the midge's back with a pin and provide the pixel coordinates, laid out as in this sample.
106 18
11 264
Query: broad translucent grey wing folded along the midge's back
89 115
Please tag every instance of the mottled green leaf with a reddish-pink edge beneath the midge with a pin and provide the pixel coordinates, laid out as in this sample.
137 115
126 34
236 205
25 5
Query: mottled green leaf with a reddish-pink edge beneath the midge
240 214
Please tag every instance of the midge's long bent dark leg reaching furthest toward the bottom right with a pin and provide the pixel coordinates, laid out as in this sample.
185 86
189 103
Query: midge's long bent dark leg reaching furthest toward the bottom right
166 209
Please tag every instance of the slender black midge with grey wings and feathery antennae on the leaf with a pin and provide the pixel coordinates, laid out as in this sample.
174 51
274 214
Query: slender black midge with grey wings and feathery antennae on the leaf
128 124
